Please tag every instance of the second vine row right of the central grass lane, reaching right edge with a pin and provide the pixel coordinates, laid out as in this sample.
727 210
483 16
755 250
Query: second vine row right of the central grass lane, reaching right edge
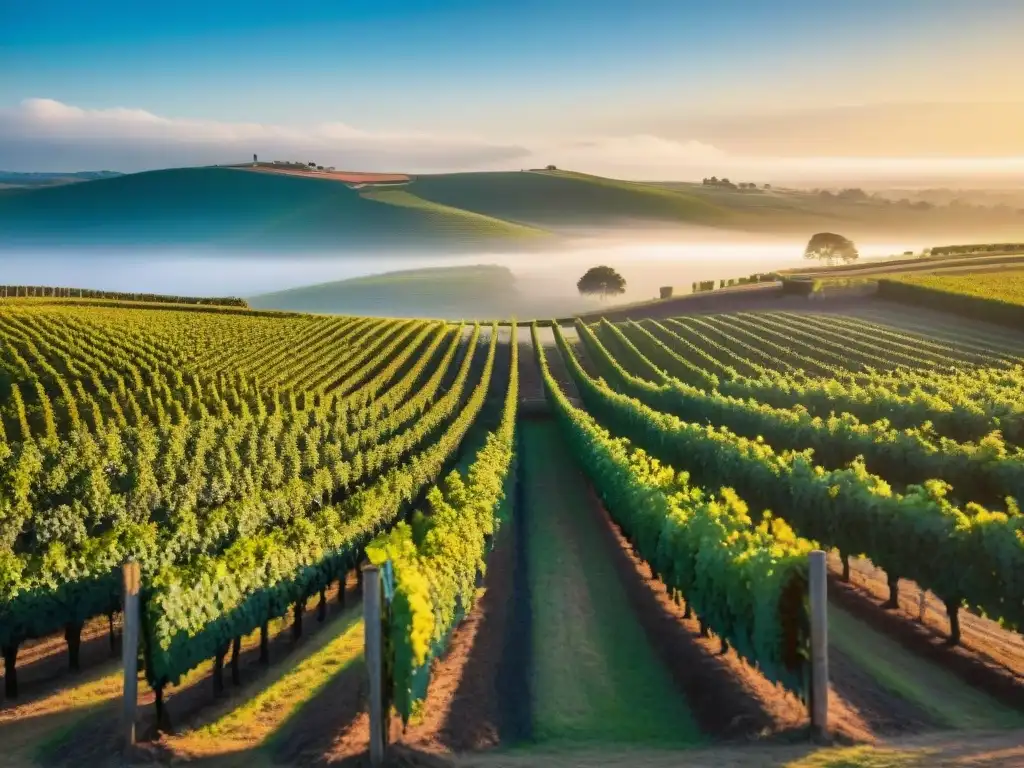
916 535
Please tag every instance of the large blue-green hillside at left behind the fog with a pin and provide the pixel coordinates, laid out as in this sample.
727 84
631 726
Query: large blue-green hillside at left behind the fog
229 208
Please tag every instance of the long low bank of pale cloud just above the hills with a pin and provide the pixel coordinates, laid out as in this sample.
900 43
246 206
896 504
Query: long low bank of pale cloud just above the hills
42 135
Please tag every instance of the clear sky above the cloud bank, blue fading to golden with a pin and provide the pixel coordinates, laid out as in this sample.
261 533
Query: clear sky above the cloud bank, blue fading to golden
529 74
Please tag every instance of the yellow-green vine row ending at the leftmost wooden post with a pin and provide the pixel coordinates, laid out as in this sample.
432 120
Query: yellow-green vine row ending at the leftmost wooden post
194 611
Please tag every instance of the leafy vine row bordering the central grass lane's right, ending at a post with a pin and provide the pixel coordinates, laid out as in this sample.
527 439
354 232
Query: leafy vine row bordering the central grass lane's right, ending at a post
747 581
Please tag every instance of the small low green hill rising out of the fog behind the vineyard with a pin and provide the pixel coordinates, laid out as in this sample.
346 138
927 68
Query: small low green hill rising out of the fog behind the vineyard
452 293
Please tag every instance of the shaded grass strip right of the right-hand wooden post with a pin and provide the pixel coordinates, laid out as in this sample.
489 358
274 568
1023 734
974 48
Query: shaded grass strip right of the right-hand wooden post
953 703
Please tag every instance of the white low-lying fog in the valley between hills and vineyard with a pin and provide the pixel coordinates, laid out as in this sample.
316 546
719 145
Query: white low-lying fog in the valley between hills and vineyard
647 264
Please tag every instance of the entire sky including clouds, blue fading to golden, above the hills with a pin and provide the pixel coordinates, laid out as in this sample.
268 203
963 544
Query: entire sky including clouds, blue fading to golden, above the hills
631 89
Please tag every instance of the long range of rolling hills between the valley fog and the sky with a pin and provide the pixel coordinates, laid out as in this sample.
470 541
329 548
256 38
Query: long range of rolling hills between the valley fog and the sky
231 208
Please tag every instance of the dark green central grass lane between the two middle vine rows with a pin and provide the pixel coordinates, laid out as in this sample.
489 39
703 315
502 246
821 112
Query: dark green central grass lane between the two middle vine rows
595 679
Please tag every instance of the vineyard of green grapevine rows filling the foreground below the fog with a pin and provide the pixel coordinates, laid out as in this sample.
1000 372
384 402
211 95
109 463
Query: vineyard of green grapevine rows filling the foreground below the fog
596 535
